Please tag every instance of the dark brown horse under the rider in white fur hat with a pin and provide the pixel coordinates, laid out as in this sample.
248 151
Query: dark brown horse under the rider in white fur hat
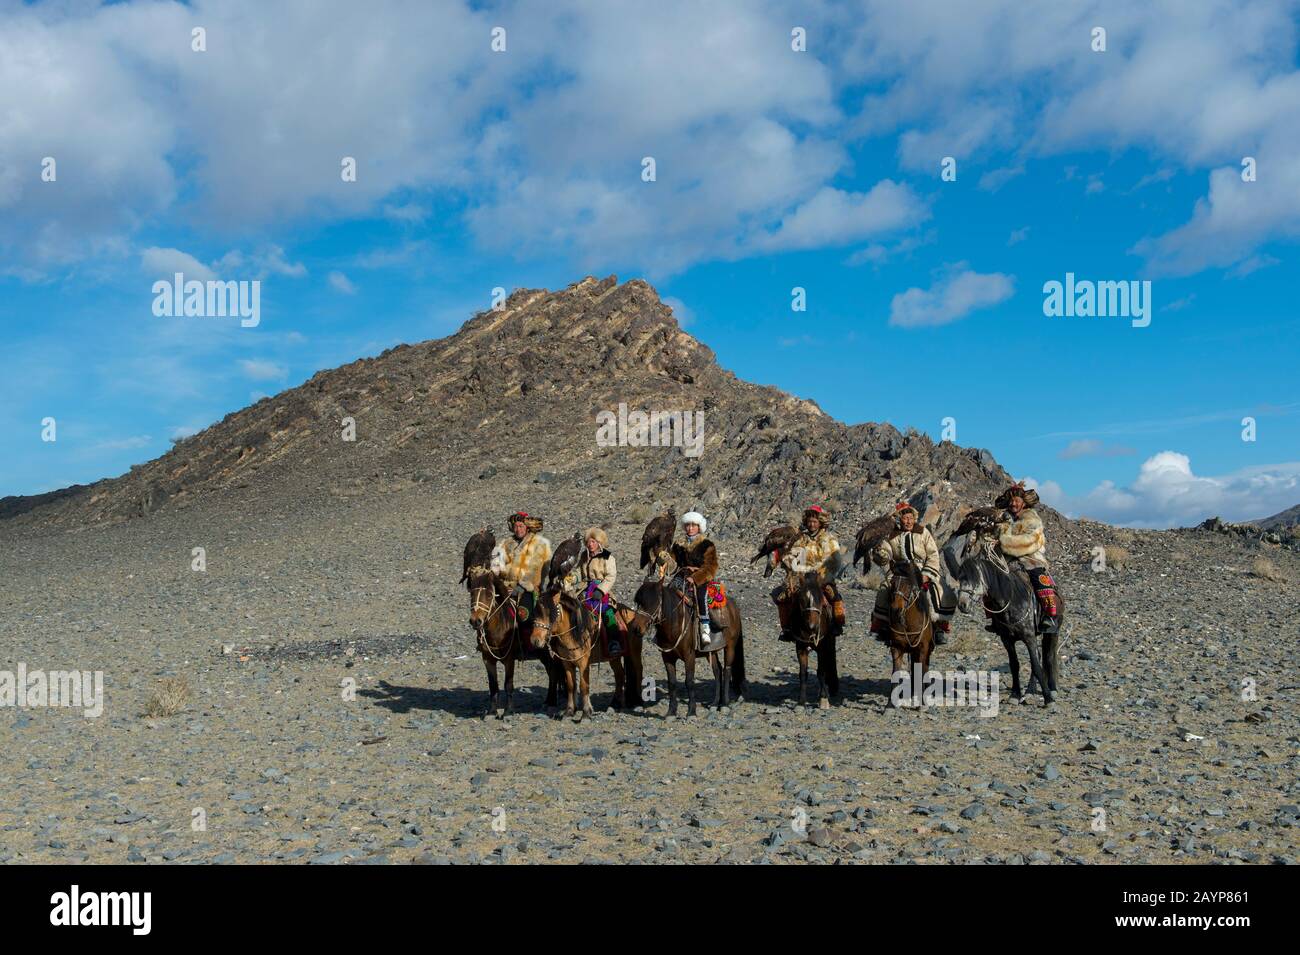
670 607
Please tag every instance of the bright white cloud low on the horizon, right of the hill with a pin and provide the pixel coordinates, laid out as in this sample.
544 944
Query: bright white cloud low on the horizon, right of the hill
1168 494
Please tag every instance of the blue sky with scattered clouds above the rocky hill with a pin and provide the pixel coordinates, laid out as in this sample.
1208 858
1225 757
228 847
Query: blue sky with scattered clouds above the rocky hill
775 168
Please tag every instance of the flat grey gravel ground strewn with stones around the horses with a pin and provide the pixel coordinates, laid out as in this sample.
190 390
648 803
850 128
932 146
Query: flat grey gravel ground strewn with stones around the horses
1151 728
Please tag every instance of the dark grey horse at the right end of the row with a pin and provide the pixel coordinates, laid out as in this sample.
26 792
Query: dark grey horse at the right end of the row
1013 607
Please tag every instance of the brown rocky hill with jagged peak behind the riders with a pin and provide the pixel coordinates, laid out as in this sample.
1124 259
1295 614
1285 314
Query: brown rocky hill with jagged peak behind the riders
512 401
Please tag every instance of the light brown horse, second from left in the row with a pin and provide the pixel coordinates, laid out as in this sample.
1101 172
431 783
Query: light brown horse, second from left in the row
570 633
